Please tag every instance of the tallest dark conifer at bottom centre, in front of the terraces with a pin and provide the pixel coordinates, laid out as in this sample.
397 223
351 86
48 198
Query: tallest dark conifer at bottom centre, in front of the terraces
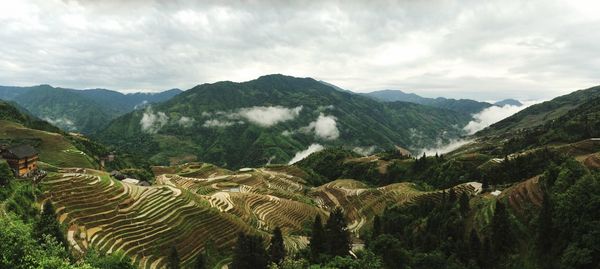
337 234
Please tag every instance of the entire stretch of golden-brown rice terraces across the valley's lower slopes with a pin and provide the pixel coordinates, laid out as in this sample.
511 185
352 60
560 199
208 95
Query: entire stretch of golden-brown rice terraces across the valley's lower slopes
193 204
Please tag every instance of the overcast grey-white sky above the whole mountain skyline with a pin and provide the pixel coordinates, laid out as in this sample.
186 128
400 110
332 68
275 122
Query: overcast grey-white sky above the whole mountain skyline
478 49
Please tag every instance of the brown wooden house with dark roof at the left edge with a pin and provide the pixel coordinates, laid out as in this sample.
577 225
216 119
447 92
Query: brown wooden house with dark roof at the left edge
22 159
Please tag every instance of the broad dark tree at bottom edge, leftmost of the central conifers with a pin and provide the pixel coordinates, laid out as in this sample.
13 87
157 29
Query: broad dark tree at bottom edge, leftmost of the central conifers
249 253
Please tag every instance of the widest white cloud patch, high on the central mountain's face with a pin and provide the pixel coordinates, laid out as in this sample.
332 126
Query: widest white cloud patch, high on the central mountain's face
267 116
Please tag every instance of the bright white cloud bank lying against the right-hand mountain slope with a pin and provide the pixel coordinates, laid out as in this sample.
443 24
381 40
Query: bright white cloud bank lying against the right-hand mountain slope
492 115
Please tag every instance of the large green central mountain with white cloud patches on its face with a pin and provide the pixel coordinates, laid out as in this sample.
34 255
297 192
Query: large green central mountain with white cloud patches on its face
272 118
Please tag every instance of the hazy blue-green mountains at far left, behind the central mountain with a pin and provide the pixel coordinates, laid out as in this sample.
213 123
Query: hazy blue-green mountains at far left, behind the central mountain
79 110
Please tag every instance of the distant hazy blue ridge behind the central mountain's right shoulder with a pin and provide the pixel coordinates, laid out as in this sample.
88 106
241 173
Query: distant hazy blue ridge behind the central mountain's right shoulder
461 105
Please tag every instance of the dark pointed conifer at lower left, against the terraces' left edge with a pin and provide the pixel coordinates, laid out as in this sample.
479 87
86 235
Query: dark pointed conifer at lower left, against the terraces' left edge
47 224
